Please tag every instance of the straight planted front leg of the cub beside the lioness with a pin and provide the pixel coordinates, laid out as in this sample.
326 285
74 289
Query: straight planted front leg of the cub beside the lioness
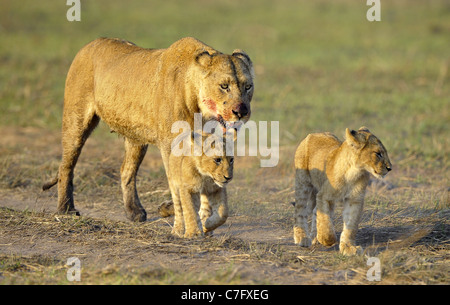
190 204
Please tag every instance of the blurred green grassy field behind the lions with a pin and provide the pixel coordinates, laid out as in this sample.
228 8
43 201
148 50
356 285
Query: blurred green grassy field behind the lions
320 65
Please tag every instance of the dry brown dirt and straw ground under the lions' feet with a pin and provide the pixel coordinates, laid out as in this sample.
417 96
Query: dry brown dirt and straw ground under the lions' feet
255 245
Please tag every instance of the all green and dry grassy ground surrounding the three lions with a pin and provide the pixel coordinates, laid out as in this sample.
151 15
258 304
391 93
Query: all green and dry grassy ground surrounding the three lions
319 67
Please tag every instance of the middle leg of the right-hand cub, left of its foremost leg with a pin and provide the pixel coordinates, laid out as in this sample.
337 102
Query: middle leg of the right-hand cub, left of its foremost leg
325 229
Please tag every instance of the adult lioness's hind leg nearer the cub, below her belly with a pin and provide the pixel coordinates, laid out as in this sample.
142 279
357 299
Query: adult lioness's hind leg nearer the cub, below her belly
134 154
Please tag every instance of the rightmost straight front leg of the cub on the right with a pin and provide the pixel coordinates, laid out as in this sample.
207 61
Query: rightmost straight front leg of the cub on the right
351 215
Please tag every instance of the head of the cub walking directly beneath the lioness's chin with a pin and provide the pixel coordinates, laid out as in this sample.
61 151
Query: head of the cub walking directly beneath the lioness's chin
214 162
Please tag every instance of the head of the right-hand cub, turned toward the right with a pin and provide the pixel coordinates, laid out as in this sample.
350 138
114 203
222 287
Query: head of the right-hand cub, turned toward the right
370 152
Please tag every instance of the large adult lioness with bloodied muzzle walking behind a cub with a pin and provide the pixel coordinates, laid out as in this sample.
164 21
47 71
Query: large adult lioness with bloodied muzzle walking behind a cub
140 93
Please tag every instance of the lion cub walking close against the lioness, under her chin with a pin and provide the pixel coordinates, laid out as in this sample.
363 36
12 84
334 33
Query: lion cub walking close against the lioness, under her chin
198 187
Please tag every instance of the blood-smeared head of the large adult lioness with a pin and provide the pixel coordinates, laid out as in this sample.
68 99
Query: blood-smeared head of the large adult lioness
226 87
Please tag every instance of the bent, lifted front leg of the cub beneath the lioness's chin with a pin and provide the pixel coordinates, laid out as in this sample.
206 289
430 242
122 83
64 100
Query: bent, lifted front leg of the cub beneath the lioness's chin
217 212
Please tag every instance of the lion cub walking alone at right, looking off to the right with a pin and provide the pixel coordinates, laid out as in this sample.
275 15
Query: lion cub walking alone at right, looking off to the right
327 171
